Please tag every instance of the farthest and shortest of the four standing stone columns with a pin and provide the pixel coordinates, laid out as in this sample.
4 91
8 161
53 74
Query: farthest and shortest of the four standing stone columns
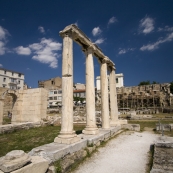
113 97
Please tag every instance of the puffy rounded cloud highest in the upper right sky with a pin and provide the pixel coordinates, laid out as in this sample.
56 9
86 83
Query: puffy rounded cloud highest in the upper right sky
146 25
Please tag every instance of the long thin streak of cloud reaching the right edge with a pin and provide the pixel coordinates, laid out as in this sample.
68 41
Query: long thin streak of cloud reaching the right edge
155 45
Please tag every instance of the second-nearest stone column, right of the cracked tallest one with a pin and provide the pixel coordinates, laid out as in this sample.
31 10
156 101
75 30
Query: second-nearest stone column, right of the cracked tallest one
91 127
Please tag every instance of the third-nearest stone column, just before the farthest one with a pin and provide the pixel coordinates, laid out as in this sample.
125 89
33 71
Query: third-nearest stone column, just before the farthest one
104 95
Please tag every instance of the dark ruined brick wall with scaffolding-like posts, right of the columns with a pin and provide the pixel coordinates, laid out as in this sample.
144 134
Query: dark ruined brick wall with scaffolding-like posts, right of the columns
146 96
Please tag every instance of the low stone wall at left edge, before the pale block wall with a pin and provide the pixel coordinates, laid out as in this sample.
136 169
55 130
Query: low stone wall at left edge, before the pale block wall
20 126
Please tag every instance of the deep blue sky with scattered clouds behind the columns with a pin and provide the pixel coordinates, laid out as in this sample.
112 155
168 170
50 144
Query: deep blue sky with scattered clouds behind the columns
137 35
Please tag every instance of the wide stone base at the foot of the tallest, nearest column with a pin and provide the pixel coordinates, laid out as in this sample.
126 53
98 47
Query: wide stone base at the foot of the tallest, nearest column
60 140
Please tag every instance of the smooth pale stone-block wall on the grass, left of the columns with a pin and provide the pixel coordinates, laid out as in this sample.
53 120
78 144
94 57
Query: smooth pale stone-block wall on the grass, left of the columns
30 106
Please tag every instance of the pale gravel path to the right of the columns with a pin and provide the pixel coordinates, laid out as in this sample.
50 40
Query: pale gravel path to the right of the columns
125 154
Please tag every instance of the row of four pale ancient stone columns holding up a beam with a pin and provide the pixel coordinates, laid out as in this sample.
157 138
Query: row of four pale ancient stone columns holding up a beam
67 134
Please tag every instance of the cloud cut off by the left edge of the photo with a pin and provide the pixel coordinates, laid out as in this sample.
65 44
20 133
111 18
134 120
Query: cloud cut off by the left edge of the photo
3 40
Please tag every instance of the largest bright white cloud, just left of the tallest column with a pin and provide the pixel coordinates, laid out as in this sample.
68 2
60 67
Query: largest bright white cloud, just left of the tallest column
45 52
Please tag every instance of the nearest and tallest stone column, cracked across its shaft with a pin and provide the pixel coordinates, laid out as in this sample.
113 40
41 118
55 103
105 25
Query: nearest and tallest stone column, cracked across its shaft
67 134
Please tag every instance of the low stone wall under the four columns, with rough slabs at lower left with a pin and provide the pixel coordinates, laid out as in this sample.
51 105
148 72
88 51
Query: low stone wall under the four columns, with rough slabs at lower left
44 159
